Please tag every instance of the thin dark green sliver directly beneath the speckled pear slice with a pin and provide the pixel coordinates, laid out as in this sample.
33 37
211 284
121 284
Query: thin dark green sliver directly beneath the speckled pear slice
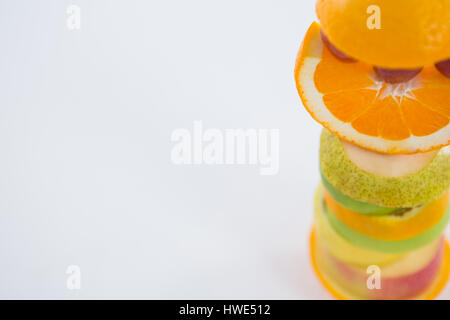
355 205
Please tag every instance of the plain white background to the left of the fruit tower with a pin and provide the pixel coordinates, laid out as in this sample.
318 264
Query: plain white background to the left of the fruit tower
85 171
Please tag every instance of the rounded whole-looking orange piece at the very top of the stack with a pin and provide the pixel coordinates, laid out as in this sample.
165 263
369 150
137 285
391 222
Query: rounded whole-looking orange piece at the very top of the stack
388 33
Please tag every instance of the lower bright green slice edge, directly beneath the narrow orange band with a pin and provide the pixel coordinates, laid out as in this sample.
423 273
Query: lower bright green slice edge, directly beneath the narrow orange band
398 246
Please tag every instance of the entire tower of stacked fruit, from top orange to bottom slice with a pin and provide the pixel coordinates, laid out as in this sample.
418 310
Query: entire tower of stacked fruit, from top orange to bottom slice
382 207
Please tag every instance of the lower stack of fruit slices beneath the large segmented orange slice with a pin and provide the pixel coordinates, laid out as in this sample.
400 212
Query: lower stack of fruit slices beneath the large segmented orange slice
370 213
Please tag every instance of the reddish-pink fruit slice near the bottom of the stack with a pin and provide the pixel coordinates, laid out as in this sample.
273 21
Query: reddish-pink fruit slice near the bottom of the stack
404 287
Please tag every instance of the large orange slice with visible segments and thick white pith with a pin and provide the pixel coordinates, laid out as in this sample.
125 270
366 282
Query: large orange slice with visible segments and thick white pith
349 100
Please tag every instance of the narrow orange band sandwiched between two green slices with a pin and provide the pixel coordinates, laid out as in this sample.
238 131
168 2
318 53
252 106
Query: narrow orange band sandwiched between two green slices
391 227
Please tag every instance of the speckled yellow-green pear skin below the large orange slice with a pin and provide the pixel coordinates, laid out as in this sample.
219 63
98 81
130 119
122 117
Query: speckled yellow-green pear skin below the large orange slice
401 192
